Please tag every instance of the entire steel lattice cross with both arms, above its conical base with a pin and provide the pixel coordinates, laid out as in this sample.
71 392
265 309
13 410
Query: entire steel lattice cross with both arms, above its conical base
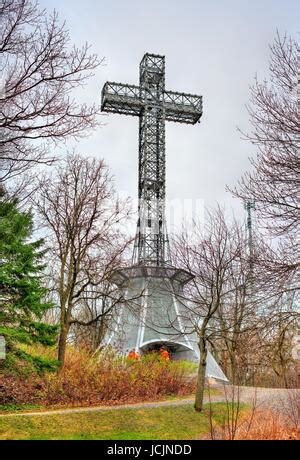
153 105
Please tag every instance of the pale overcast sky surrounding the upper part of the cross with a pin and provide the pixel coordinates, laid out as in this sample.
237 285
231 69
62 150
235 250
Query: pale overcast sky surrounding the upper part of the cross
212 48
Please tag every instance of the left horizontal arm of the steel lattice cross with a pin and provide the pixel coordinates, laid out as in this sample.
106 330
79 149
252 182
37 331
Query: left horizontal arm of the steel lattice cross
121 98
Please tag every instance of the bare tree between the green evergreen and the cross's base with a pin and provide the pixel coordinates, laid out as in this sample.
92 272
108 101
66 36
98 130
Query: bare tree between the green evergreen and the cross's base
79 208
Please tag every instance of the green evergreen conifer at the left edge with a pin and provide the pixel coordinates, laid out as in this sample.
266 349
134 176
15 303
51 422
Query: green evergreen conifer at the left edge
21 291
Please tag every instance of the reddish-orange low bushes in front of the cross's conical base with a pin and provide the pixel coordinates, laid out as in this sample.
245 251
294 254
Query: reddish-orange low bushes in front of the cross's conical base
105 379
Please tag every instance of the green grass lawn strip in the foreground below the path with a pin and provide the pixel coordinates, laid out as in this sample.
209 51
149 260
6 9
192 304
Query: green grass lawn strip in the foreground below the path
168 422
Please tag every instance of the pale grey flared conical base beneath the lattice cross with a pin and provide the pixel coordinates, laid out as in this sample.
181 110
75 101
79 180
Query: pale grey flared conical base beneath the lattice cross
153 316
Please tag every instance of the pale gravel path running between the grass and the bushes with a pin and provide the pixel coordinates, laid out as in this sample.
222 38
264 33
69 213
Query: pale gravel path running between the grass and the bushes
277 399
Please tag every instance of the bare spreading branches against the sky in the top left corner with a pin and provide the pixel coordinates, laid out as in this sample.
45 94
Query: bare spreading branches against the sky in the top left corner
39 70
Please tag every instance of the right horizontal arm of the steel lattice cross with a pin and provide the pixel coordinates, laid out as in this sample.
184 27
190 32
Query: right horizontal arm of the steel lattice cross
182 107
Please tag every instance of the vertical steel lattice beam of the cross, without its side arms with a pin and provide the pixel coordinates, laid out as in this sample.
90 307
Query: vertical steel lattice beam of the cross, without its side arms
151 245
